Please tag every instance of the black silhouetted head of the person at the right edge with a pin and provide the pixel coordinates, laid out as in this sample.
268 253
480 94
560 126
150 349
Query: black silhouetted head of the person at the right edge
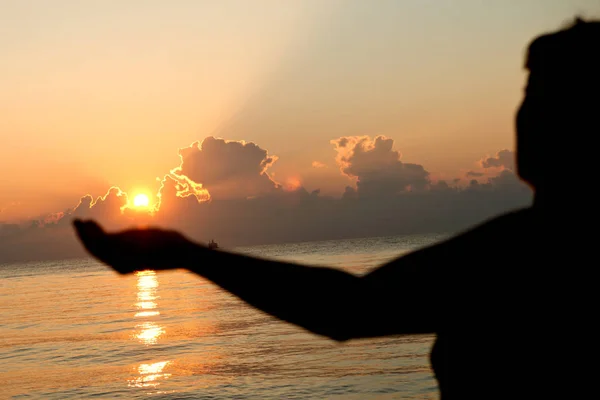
560 112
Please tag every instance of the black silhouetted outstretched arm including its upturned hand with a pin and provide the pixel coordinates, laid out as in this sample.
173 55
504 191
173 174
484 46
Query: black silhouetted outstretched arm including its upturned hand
396 298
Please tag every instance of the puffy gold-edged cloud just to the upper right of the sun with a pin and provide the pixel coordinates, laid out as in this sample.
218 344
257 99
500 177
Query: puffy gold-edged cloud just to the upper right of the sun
228 169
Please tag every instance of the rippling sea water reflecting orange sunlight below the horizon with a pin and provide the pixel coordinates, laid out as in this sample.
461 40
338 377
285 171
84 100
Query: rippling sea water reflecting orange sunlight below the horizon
74 329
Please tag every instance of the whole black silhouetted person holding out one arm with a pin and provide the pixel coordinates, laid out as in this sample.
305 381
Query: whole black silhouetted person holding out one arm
512 301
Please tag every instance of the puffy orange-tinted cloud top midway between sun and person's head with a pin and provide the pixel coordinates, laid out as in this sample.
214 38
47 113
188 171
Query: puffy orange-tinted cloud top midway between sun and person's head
377 167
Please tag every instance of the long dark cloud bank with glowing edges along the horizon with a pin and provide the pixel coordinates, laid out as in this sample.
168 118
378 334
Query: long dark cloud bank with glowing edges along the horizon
223 190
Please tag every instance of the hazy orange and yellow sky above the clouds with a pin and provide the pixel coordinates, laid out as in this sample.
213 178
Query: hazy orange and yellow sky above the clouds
101 93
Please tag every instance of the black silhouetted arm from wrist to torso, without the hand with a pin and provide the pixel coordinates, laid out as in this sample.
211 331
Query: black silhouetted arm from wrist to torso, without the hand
393 299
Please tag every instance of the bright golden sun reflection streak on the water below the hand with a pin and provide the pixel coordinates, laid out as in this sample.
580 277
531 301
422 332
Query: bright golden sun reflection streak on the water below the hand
148 332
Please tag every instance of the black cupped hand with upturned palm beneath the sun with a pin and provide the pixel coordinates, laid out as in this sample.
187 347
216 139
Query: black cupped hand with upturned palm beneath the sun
135 249
